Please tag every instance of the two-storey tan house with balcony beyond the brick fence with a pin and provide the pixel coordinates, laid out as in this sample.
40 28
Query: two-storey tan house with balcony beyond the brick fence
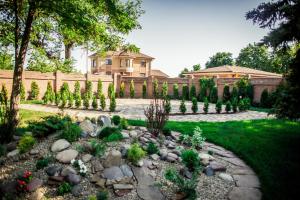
122 62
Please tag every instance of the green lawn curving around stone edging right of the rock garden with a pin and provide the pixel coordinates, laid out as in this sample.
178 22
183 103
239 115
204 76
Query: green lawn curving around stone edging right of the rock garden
270 147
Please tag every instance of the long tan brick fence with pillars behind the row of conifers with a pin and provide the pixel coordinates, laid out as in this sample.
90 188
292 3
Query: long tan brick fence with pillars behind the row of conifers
57 79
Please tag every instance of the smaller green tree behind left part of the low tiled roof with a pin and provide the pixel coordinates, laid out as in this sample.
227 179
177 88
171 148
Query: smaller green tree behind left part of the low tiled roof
220 59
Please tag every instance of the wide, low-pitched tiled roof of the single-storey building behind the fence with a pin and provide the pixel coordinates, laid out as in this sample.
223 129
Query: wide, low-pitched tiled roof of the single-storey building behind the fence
235 69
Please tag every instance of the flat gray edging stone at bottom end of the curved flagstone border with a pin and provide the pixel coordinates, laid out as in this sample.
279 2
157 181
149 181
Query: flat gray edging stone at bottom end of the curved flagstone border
244 193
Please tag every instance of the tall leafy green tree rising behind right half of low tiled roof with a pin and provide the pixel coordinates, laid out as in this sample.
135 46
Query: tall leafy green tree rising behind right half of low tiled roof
256 57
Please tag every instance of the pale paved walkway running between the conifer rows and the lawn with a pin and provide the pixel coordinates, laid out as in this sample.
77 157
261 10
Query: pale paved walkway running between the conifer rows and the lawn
134 109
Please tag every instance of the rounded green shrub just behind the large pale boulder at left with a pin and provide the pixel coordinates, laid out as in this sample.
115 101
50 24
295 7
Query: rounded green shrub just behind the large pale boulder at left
71 132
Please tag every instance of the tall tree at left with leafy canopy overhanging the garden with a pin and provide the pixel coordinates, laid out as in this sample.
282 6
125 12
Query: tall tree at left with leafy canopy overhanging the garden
96 21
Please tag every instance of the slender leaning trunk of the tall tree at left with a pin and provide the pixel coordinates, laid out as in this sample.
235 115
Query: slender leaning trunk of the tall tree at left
18 72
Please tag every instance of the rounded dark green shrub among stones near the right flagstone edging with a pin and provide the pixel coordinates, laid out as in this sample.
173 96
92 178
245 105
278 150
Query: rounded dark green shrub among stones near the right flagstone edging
190 159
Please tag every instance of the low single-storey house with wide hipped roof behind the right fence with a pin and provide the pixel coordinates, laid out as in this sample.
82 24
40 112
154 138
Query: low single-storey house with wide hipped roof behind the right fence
232 72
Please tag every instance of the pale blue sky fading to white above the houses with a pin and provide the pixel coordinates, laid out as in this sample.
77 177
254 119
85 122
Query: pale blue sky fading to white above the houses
180 34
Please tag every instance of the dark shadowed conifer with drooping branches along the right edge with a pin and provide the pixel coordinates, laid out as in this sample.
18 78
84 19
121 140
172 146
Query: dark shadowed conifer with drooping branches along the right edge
282 18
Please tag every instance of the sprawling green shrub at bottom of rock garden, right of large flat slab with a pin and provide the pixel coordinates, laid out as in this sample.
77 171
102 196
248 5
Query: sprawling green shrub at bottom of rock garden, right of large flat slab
184 185
